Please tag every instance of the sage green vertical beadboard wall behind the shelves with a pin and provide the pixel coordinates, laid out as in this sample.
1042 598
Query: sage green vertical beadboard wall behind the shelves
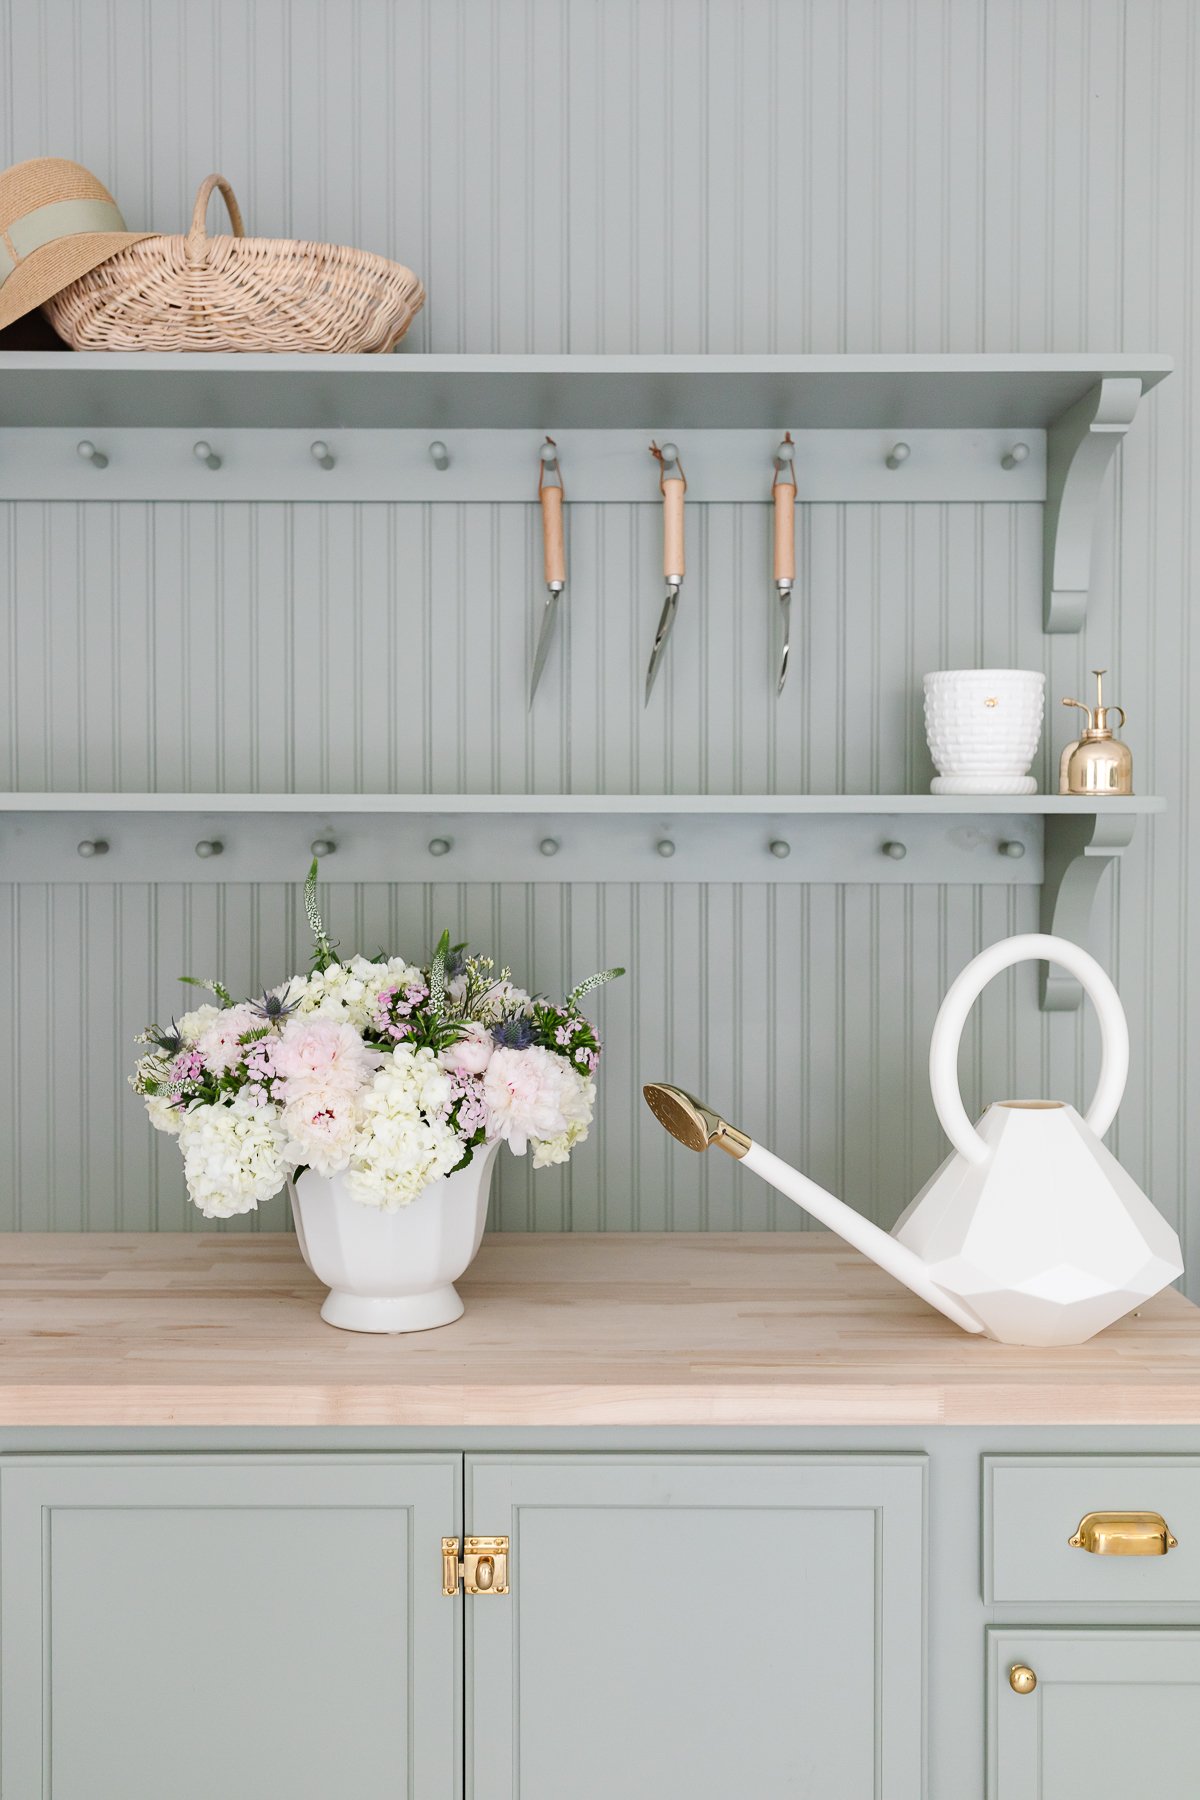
641 175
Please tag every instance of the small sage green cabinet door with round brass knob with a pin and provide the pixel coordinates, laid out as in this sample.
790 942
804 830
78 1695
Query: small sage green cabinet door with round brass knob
1116 1713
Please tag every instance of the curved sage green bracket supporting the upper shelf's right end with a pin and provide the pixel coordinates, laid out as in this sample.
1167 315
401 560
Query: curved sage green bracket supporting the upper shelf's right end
1080 447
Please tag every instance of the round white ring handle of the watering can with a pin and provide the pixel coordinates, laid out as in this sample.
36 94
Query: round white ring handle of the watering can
944 1050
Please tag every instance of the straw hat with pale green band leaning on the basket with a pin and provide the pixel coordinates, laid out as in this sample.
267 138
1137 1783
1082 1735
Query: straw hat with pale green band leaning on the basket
57 222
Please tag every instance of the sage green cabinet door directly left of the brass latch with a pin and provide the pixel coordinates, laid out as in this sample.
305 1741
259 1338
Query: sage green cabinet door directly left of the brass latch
179 1628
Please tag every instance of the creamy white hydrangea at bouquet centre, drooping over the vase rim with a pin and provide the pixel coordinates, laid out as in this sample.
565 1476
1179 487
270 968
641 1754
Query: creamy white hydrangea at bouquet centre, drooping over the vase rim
404 1142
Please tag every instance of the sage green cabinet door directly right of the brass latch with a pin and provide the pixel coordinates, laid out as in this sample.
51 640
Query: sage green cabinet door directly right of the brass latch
699 1628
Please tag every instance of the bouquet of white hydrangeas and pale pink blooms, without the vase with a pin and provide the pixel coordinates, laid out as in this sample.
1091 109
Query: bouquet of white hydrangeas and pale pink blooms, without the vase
379 1070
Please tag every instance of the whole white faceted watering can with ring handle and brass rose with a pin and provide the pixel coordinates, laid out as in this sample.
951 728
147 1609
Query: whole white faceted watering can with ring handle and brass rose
1030 1232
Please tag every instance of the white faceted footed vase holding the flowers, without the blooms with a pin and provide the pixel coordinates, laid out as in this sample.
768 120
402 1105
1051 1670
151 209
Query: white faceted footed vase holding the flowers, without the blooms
393 1272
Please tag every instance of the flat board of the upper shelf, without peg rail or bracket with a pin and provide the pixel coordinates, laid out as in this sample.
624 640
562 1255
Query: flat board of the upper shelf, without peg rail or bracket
548 393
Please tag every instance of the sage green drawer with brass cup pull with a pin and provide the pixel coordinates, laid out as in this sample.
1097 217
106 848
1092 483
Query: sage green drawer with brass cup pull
1034 1507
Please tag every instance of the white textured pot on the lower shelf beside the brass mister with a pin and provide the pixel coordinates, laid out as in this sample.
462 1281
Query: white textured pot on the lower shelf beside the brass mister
983 730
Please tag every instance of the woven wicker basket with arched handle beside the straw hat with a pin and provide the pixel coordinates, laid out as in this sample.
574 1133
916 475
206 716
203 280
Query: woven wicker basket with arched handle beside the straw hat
238 294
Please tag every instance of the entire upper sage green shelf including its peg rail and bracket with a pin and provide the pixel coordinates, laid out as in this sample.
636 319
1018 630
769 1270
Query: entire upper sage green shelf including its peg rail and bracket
172 427
